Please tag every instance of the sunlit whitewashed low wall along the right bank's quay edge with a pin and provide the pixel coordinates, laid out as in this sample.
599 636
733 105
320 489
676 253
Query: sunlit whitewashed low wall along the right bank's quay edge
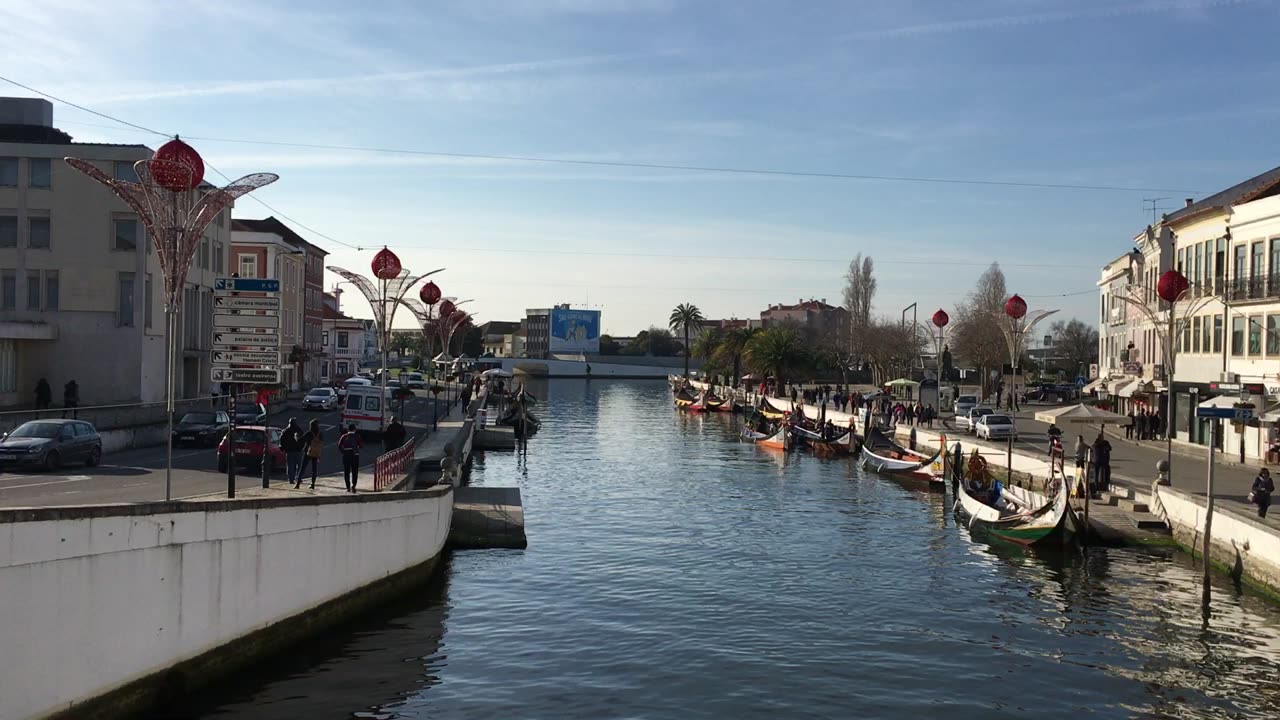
1246 546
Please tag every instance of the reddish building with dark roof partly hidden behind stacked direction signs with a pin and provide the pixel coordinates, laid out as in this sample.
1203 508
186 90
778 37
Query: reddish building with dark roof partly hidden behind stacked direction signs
260 254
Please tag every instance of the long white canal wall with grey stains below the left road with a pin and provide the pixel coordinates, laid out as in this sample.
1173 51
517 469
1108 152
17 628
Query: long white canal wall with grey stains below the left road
132 601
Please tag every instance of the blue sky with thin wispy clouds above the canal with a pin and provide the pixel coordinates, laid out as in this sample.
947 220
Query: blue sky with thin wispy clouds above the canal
1137 99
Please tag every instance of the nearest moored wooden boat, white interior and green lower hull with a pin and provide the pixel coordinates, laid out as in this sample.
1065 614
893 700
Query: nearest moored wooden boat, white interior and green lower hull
1022 522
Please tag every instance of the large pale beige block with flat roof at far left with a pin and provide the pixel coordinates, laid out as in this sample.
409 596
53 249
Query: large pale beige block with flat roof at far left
81 290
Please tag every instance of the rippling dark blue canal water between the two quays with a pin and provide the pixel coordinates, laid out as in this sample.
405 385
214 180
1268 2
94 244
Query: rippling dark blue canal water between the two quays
676 573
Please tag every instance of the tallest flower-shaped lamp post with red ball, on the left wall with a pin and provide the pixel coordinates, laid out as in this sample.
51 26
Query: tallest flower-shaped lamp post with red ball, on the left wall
176 206
